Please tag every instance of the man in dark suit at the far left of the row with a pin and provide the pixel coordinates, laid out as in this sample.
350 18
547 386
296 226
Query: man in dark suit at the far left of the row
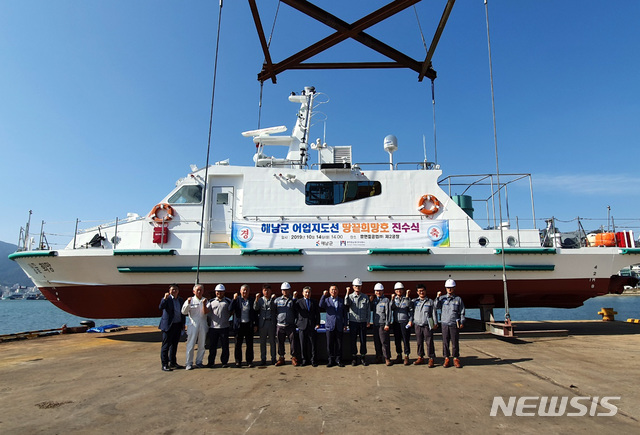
171 325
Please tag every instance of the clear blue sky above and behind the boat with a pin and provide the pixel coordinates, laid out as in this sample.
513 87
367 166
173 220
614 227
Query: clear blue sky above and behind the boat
104 105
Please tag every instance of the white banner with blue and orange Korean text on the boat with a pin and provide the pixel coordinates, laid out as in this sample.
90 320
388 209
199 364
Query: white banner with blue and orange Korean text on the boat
361 234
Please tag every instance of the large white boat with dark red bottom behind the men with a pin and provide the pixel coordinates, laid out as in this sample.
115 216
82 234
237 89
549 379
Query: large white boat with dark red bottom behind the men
285 220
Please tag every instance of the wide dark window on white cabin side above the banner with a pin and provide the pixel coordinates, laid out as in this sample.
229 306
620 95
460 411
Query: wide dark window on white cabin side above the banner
338 192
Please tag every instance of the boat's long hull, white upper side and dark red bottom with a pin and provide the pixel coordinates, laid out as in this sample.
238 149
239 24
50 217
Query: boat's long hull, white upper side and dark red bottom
99 284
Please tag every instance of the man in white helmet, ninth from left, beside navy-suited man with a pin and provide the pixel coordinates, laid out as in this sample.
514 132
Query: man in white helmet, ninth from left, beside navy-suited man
359 320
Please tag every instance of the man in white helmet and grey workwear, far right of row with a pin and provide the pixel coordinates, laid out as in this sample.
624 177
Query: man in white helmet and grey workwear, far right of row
452 320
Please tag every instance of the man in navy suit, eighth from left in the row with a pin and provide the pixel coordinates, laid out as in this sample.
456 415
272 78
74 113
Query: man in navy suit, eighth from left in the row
335 324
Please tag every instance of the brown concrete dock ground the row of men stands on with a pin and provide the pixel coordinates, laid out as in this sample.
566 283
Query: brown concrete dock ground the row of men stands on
112 383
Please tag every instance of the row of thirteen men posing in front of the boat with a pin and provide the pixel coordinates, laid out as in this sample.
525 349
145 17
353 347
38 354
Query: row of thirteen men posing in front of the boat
288 317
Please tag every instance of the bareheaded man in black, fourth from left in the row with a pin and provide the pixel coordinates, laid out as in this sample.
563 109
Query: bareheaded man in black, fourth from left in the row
244 324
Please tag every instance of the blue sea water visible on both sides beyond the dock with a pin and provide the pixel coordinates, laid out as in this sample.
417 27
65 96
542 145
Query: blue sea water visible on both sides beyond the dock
25 315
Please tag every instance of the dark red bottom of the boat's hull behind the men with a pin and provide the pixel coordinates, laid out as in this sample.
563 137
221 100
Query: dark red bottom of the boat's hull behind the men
113 302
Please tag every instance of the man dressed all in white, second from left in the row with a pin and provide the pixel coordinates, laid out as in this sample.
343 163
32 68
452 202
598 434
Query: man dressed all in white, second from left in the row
195 307
